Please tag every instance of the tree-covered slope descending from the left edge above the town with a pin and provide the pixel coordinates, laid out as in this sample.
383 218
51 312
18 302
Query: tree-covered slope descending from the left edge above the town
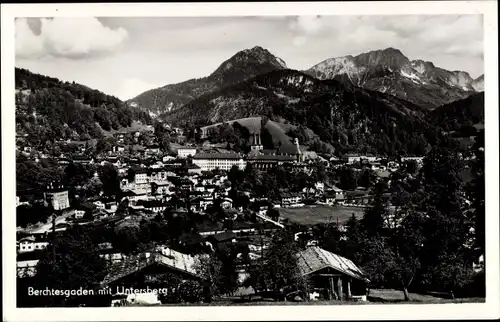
48 108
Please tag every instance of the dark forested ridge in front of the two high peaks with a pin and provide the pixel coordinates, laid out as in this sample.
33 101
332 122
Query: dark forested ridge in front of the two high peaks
350 118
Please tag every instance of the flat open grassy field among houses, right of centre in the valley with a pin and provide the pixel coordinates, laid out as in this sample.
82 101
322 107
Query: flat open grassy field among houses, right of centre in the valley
313 215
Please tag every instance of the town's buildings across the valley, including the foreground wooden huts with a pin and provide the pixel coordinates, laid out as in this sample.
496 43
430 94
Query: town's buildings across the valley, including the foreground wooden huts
149 179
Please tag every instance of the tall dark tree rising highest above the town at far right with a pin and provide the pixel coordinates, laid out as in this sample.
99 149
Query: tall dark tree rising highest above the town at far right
445 263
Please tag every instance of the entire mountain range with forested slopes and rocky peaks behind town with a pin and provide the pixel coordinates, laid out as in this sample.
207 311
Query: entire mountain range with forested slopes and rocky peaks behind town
343 102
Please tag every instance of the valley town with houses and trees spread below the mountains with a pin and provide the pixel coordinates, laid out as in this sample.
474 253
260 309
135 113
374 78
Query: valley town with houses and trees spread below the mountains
167 207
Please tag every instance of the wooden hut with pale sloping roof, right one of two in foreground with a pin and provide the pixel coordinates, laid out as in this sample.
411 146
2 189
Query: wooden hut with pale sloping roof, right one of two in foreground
332 276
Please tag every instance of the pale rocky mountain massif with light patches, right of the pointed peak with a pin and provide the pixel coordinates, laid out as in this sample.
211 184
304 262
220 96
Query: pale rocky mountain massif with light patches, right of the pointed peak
389 71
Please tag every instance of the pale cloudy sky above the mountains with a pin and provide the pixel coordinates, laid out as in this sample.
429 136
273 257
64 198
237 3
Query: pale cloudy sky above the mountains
127 56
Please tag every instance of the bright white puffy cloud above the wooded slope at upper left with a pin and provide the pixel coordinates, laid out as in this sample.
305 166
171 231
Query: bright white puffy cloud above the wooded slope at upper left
73 38
